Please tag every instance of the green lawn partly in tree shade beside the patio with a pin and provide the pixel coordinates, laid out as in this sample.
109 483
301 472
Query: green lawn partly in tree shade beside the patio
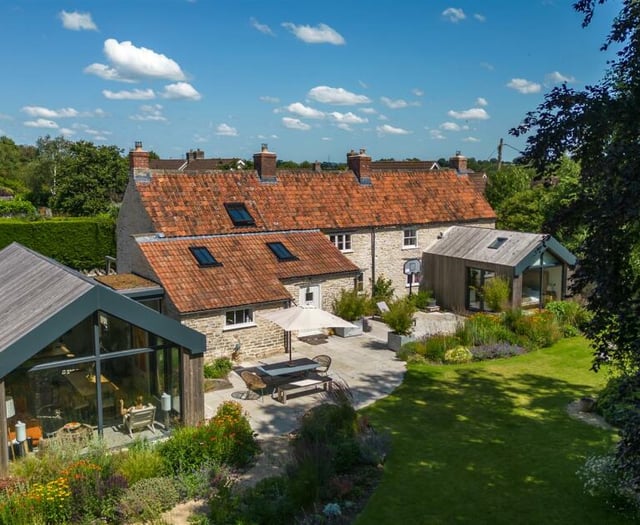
491 442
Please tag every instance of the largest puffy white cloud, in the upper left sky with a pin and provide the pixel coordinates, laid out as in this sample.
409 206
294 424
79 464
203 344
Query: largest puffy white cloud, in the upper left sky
130 63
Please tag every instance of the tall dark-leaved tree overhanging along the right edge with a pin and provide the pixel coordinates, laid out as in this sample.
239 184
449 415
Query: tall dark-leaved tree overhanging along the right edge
599 127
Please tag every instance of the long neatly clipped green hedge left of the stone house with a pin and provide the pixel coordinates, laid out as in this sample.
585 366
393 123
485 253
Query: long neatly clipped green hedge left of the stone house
79 242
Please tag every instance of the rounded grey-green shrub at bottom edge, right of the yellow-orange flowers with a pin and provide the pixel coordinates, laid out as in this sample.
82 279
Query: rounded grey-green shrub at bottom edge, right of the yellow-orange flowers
147 499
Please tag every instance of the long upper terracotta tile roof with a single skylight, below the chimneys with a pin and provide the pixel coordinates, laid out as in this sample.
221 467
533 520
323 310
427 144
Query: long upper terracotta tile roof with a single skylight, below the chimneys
188 203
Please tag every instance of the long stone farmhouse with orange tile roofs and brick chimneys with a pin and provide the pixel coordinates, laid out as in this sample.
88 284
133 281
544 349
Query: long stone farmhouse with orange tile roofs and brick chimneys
342 225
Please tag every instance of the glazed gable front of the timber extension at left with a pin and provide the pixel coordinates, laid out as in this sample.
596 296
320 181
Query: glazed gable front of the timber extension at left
69 385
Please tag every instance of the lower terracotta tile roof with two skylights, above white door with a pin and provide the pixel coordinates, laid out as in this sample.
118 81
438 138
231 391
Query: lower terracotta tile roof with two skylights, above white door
250 272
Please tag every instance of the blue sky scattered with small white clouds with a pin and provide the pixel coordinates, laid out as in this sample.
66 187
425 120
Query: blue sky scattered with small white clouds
313 80
